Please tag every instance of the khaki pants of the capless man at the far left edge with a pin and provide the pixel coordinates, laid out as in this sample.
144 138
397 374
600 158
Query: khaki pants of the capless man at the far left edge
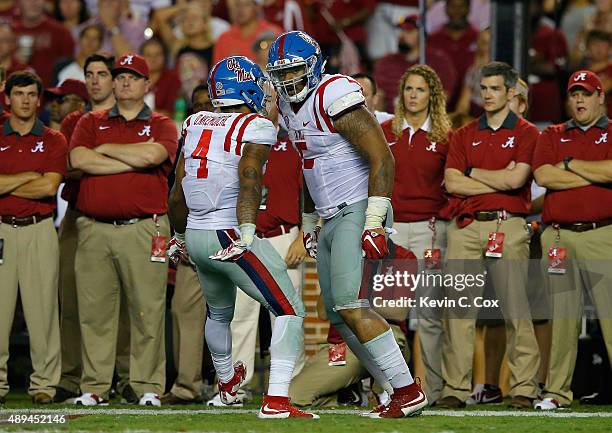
31 266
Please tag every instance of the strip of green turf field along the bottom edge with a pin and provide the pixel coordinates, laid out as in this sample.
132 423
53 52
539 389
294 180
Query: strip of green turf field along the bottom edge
117 417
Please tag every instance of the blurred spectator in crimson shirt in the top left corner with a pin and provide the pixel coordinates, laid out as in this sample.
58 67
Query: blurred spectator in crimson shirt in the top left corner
41 40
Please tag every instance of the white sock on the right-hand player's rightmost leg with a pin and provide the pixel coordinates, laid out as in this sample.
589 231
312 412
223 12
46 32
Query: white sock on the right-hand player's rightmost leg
388 357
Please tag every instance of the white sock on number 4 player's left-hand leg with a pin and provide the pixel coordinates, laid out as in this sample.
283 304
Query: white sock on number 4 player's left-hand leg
219 340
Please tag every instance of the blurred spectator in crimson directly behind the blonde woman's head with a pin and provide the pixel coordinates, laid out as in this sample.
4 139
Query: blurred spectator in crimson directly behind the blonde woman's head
390 69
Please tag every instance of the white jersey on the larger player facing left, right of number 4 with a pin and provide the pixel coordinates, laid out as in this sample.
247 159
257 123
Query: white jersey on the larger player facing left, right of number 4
336 175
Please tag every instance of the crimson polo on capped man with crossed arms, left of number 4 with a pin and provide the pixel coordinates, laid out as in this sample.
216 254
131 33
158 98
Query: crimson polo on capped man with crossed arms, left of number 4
132 194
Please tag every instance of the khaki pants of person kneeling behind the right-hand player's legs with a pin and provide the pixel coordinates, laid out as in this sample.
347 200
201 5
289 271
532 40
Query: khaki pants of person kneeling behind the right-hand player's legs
318 383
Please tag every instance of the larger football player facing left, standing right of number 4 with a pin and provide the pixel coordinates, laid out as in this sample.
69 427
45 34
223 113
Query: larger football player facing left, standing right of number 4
349 170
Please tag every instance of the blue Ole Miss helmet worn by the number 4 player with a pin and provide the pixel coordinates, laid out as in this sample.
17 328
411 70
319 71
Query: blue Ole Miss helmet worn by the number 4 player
237 81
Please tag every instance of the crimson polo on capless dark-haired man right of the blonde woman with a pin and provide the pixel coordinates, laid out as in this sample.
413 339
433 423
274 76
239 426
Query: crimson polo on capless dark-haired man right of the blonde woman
477 145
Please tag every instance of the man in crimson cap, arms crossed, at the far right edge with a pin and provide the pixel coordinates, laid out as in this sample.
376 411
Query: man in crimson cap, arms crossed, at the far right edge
573 161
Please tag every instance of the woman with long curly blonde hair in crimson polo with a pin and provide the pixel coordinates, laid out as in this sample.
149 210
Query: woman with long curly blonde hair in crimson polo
418 135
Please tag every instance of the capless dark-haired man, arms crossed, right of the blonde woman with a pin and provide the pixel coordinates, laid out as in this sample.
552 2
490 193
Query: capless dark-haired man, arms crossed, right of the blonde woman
489 167
